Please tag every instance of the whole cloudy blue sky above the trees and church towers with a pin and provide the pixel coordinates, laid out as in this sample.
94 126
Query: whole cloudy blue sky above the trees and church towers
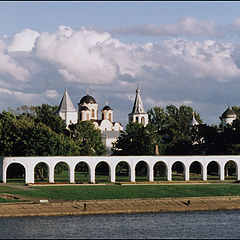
180 53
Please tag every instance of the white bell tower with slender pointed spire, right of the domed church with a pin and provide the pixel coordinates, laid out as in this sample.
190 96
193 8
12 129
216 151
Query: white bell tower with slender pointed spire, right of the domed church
138 114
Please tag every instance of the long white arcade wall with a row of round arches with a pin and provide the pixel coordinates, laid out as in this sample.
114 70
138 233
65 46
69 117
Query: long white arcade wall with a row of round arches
29 164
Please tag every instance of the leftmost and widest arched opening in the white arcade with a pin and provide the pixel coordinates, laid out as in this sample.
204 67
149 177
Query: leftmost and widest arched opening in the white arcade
16 173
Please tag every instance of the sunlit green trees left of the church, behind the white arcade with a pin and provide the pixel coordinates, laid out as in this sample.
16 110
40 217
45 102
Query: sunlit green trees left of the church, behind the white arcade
38 131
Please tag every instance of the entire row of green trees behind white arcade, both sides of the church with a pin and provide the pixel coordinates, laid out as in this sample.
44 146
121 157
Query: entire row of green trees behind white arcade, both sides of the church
38 131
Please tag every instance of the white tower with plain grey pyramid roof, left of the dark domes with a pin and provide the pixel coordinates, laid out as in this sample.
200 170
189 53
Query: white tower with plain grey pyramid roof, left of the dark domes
66 110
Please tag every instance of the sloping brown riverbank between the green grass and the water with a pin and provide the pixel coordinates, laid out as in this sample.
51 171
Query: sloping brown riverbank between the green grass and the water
116 206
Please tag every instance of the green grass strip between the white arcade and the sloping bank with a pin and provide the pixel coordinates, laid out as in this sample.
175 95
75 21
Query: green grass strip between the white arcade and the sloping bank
128 191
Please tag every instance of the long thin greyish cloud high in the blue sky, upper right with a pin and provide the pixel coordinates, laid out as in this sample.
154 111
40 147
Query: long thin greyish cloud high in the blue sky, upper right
185 26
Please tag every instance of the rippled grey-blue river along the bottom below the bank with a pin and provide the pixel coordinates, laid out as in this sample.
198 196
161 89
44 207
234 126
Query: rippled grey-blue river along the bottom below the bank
188 225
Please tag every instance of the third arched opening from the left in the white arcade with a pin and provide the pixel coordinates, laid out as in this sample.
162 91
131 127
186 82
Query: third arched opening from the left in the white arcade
61 173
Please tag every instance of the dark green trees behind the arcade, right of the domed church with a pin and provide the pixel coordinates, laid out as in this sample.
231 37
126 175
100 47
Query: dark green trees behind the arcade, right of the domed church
169 133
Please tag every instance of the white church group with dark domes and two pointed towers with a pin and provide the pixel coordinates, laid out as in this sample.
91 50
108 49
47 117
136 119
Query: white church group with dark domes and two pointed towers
88 111
